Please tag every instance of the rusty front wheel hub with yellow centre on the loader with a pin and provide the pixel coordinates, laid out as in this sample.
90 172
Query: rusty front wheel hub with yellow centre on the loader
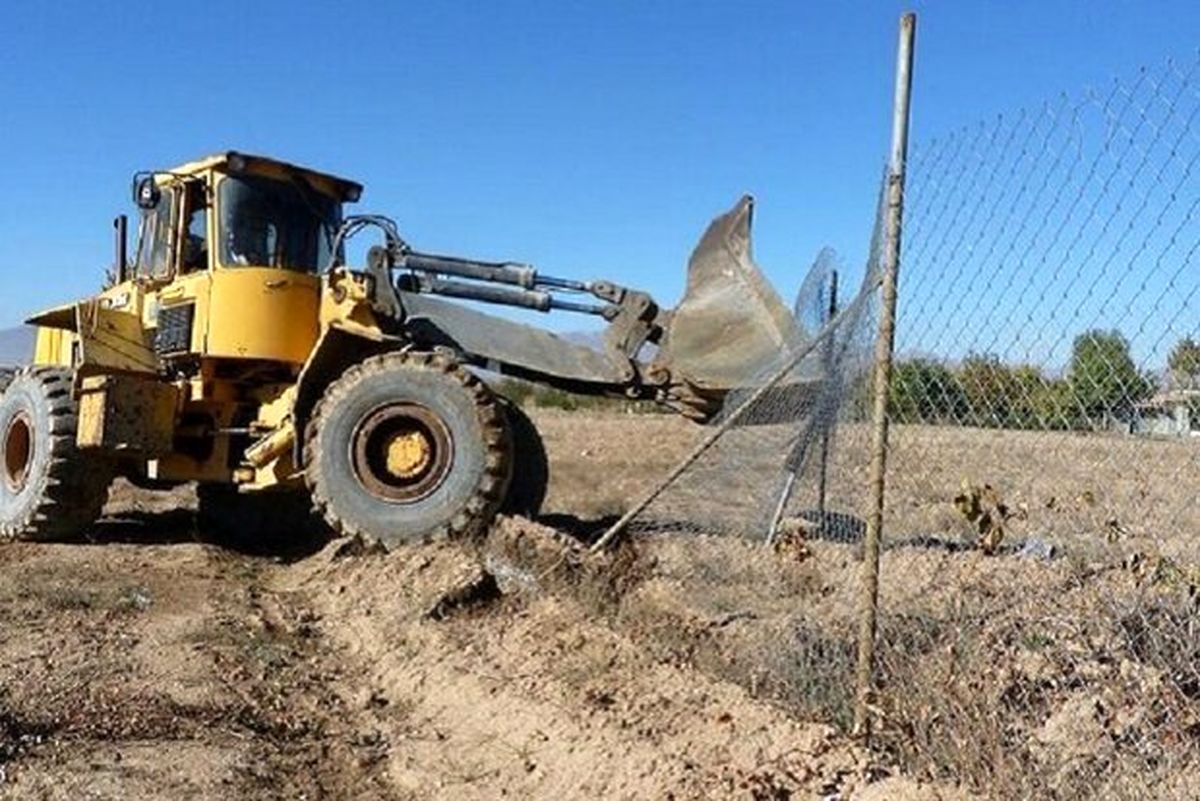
401 453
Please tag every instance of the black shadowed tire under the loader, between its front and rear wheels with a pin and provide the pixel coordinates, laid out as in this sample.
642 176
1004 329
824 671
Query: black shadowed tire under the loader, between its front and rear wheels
268 521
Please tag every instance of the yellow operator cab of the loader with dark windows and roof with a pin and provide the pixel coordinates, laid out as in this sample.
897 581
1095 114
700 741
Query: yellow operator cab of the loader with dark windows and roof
227 257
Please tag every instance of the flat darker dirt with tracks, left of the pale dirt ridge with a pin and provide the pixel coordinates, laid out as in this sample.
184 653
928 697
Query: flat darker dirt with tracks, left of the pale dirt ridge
166 671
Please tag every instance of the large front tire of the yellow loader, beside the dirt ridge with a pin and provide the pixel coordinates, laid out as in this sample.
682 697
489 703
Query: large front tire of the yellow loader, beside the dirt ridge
459 484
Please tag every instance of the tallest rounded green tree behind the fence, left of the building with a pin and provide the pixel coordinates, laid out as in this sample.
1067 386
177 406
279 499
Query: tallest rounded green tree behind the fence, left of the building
1103 377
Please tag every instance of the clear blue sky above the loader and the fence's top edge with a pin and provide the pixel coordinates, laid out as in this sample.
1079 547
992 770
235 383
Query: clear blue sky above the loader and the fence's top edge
589 138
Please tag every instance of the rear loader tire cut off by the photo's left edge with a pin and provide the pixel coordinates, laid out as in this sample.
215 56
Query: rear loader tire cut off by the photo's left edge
49 489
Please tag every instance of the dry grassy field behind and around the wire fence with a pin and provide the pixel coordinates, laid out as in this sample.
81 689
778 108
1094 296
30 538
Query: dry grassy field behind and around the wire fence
1069 678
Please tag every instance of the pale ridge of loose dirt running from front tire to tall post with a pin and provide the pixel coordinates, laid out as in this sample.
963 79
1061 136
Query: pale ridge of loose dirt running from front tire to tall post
536 696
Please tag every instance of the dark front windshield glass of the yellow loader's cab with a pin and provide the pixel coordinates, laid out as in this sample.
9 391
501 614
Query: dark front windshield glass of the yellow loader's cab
271 224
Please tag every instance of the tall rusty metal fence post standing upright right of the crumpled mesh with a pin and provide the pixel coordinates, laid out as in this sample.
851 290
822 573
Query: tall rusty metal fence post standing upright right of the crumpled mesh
884 348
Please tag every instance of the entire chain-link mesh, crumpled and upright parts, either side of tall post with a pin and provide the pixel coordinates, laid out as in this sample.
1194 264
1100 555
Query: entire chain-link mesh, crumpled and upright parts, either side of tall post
1039 612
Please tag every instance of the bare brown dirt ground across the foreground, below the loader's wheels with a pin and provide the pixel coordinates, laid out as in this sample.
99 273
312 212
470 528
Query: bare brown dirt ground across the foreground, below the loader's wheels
148 666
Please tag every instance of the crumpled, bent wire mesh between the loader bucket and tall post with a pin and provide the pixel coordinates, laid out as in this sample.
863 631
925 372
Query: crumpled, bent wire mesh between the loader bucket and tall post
771 468
